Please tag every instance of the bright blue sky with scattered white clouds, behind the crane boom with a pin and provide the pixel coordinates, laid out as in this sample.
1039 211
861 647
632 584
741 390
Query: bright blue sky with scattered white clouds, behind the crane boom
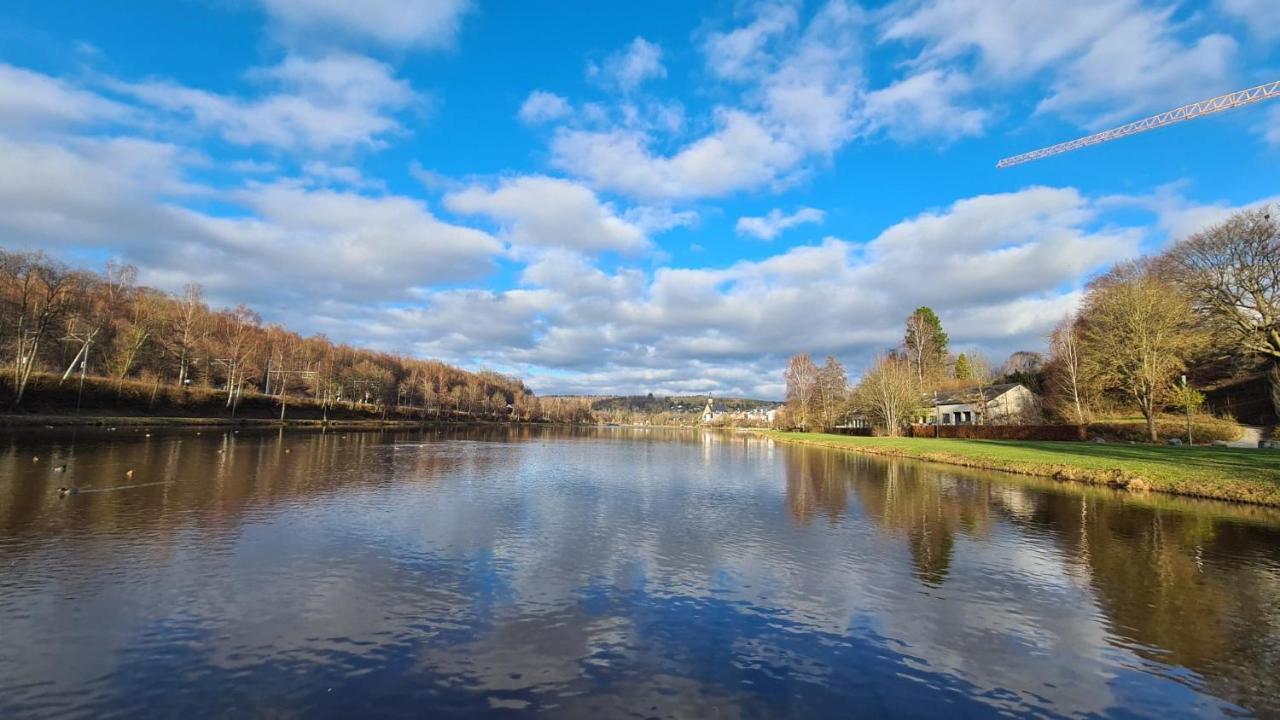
662 197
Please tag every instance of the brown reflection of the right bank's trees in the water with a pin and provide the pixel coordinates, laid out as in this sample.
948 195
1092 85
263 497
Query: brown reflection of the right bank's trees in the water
1177 581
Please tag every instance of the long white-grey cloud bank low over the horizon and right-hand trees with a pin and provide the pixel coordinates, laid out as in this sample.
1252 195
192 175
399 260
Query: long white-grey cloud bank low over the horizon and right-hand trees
1002 270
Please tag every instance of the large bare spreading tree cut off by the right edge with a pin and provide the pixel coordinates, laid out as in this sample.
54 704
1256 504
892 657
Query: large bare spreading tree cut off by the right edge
1232 275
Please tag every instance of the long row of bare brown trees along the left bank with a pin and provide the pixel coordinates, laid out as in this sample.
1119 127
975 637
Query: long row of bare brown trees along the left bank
71 323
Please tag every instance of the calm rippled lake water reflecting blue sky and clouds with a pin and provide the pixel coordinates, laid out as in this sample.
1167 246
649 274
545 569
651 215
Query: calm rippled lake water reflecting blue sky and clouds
609 573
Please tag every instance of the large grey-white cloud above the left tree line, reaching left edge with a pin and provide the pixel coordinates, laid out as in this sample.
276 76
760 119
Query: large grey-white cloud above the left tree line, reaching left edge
275 244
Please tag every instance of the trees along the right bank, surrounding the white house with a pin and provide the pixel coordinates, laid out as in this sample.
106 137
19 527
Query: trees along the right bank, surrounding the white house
1145 336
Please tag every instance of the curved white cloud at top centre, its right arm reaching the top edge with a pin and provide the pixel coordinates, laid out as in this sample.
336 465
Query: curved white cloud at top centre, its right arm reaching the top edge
801 108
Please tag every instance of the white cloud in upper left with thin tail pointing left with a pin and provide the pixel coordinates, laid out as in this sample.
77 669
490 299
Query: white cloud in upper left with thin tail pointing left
332 103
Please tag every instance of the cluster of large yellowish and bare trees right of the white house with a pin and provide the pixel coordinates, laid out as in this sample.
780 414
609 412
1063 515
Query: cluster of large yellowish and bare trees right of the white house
1150 330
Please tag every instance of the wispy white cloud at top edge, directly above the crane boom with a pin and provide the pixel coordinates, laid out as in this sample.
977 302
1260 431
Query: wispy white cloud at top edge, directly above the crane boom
1105 58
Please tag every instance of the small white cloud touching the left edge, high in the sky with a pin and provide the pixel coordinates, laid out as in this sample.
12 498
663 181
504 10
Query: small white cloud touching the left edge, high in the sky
35 102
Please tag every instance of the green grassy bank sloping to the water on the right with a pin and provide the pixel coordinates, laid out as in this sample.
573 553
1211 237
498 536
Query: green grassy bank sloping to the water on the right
1219 473
